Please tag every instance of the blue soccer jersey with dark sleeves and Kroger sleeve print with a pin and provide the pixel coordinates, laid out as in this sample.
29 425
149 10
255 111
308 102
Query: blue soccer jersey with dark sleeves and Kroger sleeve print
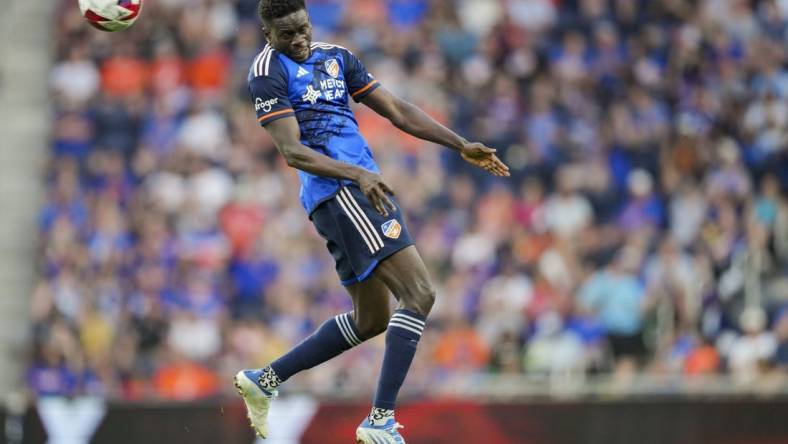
316 92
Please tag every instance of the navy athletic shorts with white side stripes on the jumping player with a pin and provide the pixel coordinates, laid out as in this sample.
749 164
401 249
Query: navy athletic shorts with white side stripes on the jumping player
357 235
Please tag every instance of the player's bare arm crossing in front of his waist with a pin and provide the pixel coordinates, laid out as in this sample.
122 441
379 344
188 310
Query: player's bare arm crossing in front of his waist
287 135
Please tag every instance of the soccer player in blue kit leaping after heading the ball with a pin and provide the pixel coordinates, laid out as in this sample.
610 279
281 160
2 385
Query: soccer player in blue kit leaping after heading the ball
301 90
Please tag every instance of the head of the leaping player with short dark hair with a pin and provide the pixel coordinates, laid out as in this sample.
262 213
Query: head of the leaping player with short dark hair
287 27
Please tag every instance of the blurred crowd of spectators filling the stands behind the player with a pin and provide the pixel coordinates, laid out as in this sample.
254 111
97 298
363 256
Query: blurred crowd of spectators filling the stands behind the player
644 229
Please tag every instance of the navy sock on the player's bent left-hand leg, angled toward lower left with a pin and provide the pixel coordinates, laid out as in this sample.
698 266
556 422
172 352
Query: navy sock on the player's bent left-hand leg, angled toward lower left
332 338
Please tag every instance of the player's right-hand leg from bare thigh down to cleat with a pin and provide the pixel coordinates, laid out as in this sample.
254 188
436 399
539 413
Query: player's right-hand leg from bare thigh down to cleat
406 276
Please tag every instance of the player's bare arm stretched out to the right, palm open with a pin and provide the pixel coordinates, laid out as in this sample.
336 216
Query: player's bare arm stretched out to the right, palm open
414 121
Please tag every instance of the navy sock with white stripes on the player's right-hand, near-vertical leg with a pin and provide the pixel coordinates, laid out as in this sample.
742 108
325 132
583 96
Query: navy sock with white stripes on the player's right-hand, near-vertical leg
402 337
